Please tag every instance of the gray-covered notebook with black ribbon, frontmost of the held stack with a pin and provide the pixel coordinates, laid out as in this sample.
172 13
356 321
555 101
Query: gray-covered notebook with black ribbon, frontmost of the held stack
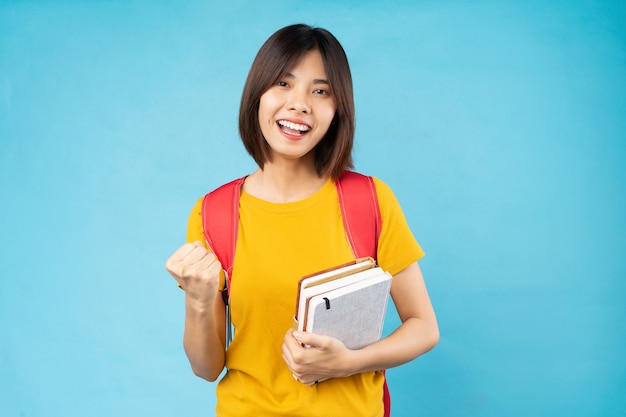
354 313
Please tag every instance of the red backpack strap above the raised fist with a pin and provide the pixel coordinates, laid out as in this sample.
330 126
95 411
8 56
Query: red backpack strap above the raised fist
220 221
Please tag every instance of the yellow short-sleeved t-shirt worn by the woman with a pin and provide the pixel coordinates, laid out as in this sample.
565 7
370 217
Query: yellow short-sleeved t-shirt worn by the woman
277 244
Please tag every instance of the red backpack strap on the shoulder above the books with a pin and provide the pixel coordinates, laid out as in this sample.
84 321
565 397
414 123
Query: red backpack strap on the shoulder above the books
360 213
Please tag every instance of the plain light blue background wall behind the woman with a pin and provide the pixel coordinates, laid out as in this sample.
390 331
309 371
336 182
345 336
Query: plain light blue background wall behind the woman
501 126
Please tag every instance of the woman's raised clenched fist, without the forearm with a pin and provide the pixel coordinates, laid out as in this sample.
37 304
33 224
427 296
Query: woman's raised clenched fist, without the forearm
197 271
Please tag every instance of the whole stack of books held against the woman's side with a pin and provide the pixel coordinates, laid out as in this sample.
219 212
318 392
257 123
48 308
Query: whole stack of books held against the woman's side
348 302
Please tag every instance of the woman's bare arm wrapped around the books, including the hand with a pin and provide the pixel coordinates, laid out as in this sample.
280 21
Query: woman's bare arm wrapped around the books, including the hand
329 358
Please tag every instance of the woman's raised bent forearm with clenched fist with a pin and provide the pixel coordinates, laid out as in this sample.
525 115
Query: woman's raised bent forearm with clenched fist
198 272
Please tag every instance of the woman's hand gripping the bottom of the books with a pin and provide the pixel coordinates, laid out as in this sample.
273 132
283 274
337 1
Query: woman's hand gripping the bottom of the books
323 357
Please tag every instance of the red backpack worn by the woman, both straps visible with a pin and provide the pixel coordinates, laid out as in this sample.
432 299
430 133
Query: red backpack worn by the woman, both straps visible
359 209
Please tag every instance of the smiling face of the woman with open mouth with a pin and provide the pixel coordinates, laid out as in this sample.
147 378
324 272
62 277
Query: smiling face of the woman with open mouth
296 112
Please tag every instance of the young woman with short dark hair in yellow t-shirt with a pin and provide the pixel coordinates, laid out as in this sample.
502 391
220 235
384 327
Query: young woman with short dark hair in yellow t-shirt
297 122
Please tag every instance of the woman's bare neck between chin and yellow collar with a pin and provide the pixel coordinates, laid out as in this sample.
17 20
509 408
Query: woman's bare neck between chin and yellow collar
284 183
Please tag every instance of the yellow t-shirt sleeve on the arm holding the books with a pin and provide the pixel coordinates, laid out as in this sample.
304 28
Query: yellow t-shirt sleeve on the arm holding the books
397 247
